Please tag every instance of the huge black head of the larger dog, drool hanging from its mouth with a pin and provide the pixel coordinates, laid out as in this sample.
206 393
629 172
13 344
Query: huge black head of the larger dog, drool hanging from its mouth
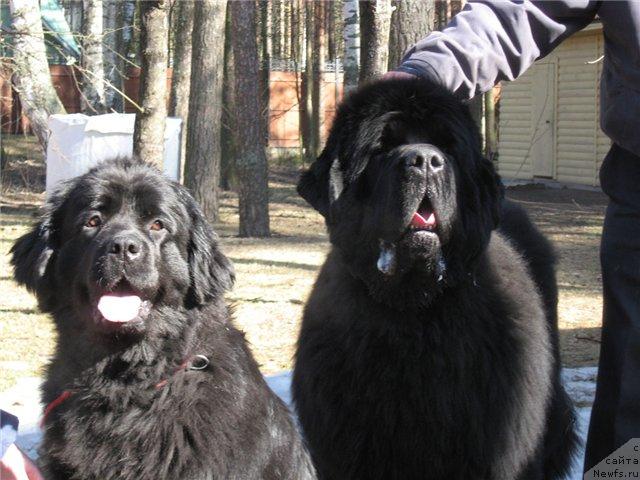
402 185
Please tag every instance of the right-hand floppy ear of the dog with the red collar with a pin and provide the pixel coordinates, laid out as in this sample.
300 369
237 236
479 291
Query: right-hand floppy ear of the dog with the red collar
211 272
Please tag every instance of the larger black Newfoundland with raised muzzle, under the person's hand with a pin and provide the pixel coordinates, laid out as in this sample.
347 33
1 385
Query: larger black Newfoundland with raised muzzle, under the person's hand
429 345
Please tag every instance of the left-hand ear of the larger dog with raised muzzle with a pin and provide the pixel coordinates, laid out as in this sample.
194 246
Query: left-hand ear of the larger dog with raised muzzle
323 182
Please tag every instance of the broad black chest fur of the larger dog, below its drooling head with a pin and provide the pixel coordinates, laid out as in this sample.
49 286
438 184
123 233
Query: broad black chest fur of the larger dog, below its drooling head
430 372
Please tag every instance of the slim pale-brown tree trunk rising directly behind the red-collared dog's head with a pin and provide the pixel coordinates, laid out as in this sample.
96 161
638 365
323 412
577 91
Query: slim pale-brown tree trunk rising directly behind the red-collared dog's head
148 135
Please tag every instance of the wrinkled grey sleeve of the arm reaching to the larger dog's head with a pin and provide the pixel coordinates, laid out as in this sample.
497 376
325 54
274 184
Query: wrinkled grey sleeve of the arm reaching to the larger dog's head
490 41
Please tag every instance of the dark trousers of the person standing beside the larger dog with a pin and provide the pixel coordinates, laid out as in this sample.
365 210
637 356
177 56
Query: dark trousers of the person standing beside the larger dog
615 418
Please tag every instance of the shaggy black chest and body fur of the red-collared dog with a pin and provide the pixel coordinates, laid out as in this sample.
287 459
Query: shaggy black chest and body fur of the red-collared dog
120 423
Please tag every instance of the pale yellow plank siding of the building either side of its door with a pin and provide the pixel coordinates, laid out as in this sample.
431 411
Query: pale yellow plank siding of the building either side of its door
578 144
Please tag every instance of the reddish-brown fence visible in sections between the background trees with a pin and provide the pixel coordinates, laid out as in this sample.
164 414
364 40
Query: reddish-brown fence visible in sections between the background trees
284 113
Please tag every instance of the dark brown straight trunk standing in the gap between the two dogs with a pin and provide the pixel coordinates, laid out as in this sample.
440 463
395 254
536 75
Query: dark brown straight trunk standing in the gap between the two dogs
251 163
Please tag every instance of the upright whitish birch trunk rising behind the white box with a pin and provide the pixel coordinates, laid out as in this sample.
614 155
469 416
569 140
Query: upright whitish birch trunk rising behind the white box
92 100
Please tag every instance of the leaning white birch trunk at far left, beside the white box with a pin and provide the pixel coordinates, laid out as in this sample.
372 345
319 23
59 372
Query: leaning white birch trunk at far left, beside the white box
31 75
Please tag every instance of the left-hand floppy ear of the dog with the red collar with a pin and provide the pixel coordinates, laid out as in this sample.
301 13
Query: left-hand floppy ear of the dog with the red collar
33 254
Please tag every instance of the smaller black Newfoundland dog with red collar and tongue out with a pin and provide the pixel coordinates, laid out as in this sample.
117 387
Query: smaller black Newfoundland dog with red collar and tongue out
150 379
